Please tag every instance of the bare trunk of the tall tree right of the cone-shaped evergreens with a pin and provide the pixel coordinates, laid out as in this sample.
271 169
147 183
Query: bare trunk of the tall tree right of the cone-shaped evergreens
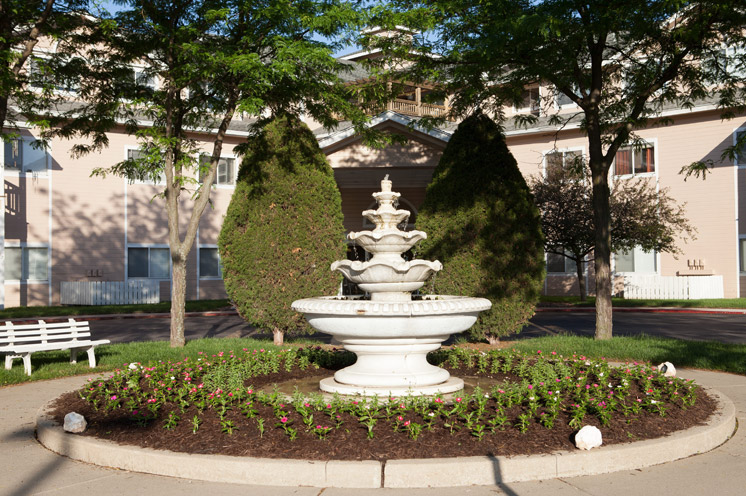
602 255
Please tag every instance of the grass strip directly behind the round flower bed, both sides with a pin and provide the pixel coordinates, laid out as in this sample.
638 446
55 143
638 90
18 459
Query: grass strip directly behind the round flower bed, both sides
693 354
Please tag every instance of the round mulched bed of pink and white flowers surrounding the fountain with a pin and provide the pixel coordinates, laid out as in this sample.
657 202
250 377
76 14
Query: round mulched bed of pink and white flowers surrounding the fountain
231 403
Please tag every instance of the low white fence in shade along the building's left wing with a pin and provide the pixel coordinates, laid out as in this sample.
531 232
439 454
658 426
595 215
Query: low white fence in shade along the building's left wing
110 292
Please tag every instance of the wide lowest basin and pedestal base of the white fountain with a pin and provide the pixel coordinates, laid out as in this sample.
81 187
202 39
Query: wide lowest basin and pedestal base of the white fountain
391 341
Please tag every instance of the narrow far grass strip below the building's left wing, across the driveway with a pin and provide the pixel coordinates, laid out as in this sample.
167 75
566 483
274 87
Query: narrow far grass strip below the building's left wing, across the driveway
71 311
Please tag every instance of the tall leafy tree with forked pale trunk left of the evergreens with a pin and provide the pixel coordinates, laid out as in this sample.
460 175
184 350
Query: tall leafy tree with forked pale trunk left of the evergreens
203 63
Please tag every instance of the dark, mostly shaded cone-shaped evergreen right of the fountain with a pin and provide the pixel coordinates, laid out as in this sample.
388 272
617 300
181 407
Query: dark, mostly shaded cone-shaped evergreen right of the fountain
483 226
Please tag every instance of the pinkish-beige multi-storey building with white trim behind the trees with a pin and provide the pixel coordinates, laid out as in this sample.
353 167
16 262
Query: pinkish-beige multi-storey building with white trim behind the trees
63 225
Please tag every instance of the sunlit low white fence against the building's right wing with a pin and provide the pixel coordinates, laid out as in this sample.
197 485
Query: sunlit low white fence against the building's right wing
673 287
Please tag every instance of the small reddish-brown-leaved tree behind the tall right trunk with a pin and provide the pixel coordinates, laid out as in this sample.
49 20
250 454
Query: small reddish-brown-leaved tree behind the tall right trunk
640 216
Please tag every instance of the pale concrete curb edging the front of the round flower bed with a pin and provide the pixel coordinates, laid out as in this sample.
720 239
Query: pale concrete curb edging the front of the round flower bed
416 473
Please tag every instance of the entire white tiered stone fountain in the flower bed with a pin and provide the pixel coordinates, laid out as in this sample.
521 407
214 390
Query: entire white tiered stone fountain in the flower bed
391 333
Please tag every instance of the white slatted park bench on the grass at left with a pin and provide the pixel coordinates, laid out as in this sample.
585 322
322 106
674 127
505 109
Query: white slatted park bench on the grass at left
19 341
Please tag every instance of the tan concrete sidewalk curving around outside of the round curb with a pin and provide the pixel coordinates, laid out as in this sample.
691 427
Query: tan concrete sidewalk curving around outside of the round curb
28 468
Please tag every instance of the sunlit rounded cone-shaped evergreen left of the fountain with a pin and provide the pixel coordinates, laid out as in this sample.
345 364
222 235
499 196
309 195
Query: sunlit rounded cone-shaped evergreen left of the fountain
283 227
